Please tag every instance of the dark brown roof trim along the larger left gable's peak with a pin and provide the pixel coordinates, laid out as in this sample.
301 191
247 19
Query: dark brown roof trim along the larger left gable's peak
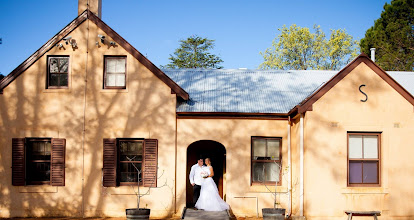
175 88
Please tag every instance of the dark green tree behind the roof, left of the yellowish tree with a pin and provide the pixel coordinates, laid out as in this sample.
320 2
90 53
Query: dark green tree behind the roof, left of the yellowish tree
194 53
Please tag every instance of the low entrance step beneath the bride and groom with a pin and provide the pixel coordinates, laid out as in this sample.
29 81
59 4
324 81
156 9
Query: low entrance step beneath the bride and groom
191 214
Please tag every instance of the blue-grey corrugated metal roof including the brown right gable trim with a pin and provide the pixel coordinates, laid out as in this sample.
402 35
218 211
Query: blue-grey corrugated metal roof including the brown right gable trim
230 92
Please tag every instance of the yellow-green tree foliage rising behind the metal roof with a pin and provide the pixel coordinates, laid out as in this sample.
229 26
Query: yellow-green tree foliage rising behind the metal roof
298 48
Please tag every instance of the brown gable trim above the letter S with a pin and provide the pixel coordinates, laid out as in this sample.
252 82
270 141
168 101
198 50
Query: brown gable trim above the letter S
306 105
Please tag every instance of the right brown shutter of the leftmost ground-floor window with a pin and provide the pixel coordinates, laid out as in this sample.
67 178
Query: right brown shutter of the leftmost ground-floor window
57 177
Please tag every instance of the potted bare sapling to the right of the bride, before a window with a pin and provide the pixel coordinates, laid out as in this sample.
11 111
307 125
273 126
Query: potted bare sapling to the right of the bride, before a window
274 213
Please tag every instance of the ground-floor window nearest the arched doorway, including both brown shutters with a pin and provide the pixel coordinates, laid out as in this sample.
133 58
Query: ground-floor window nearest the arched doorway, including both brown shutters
122 156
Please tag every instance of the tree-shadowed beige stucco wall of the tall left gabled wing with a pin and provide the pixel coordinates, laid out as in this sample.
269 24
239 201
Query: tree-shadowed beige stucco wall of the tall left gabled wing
146 109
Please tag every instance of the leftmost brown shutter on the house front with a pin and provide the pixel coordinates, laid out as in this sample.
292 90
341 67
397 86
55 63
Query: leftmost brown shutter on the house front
18 162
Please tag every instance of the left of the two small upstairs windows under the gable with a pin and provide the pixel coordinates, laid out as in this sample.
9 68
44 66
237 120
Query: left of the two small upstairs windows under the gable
58 71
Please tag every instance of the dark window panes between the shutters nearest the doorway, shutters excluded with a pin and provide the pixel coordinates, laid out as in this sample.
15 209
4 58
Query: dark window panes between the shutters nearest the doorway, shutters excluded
130 161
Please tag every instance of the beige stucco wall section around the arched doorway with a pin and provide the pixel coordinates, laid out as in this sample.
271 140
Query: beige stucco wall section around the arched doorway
235 135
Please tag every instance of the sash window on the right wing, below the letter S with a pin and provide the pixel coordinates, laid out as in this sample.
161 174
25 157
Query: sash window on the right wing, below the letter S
364 159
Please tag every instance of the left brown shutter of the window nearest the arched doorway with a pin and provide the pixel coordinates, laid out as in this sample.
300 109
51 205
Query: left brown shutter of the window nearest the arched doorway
109 162
